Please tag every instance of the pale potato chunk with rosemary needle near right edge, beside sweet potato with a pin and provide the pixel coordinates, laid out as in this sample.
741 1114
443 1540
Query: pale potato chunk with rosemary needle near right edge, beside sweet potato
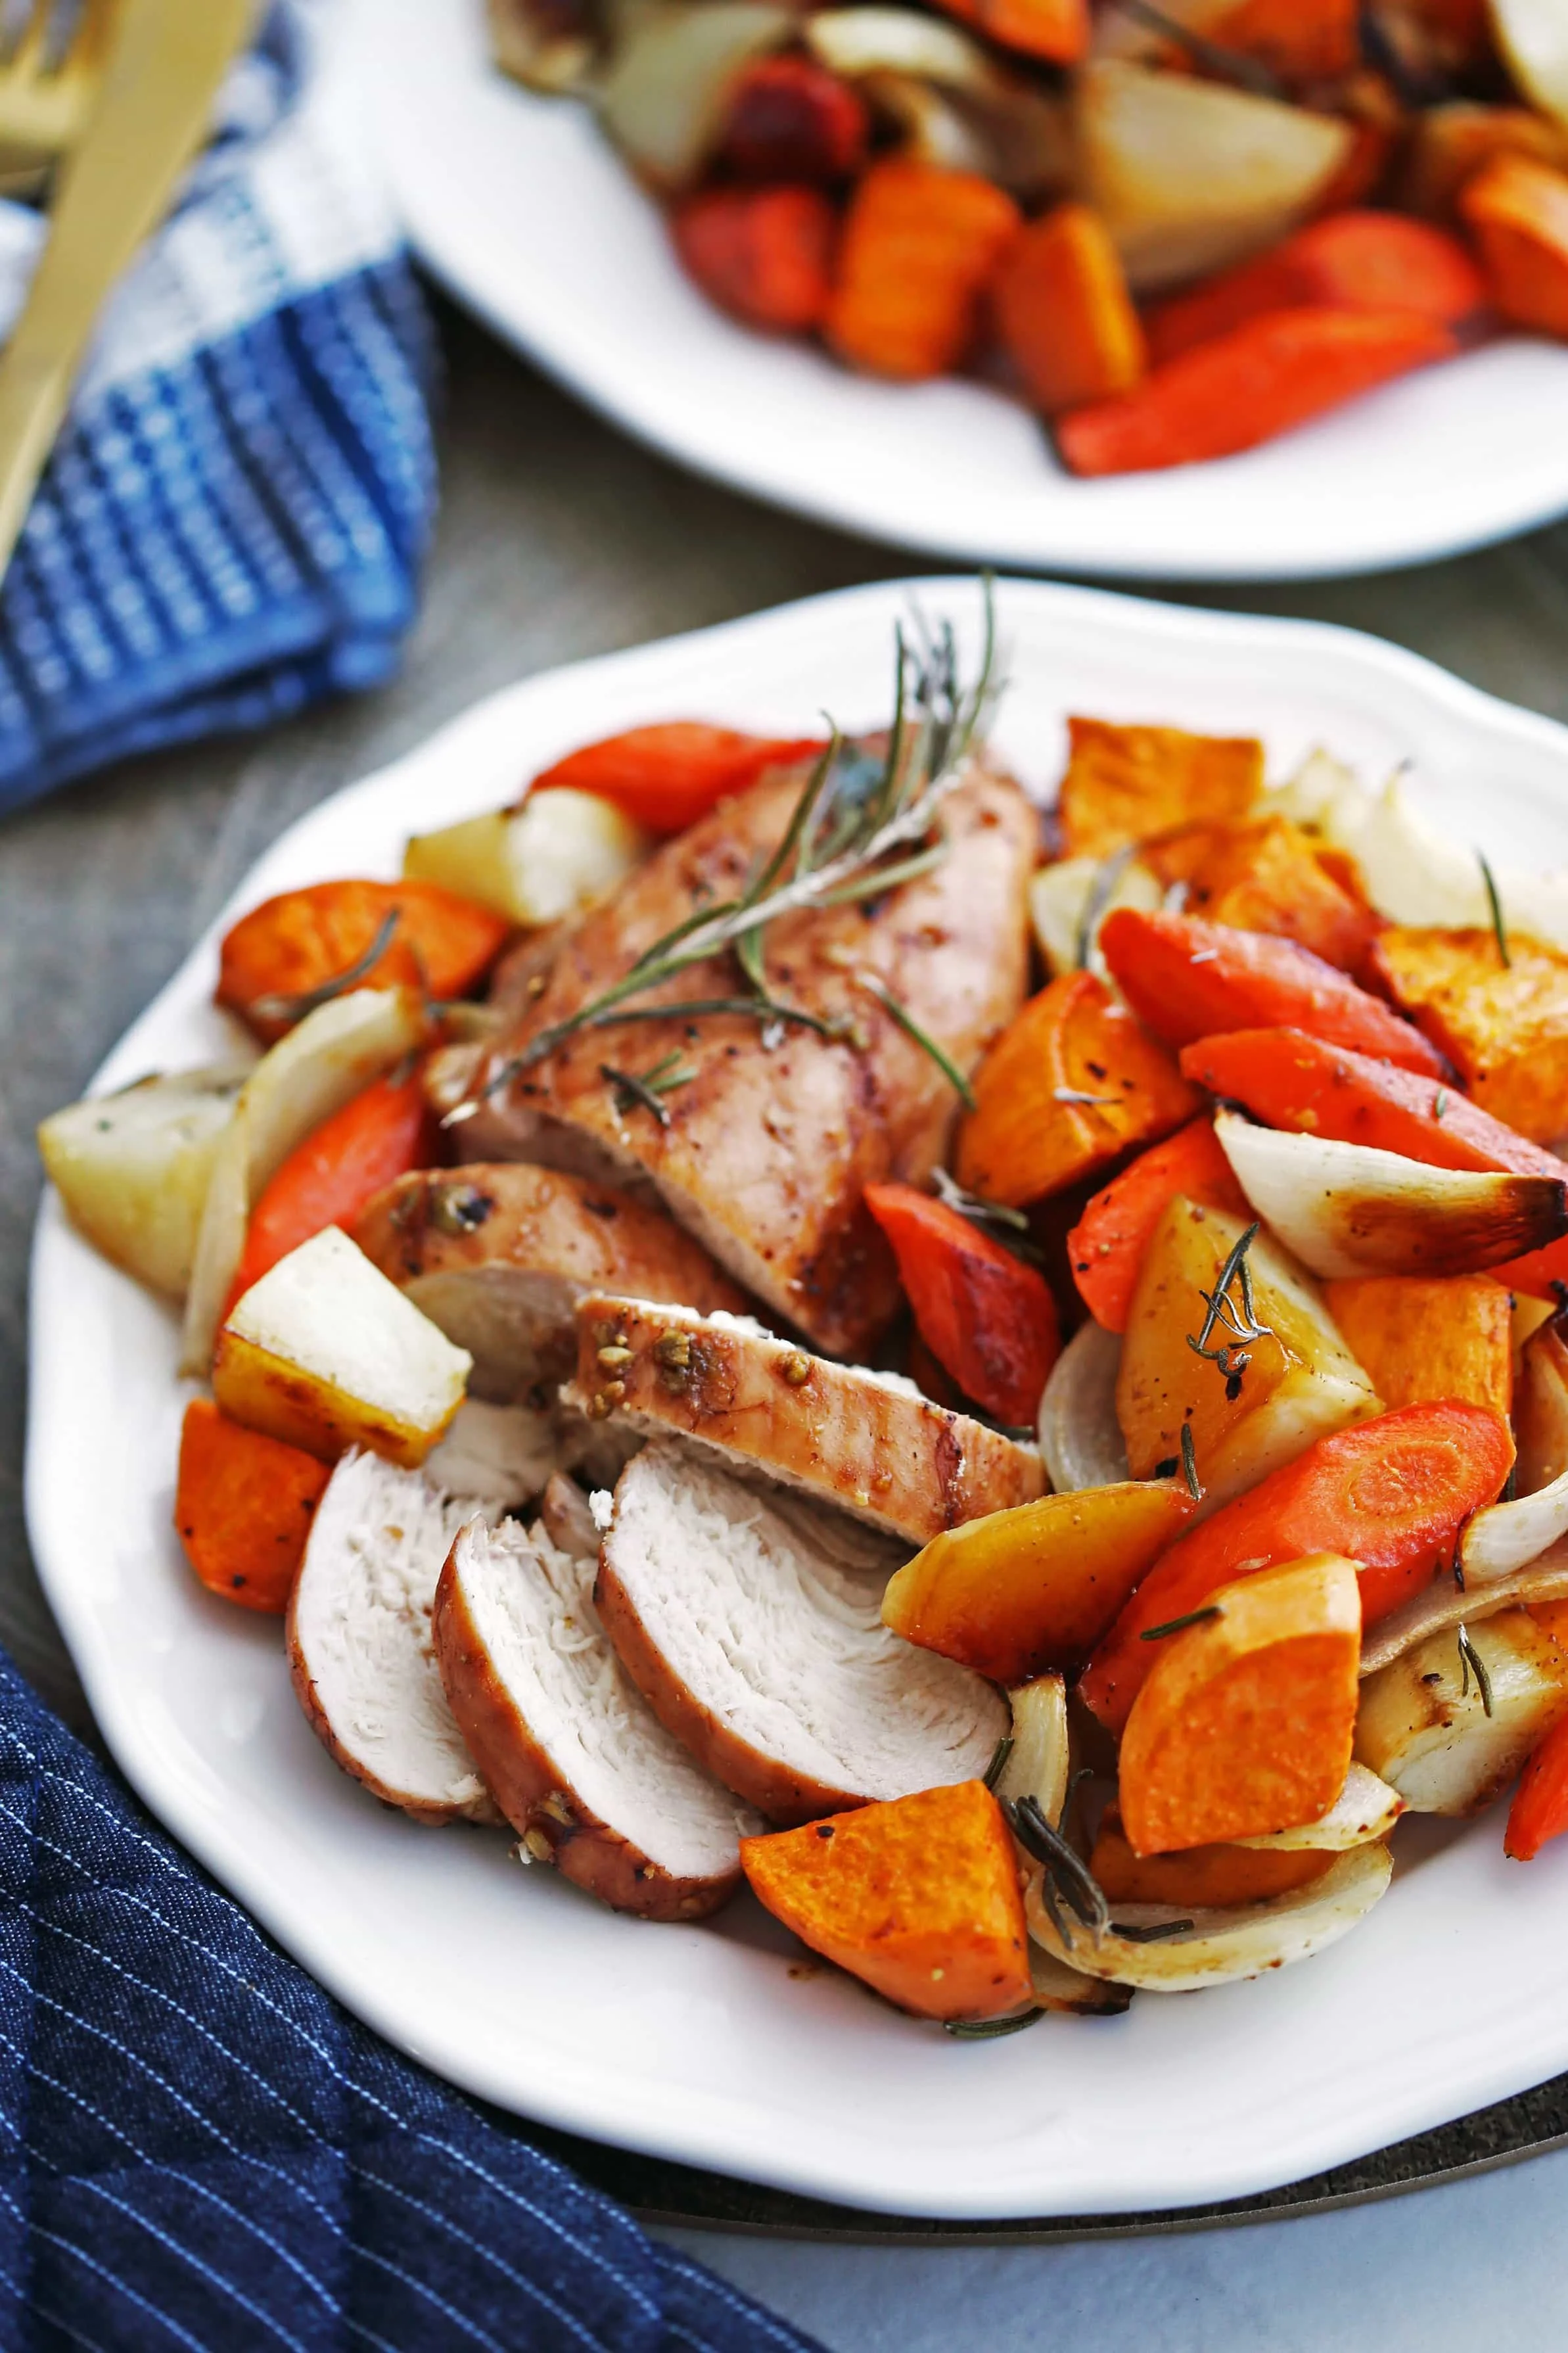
1426 1724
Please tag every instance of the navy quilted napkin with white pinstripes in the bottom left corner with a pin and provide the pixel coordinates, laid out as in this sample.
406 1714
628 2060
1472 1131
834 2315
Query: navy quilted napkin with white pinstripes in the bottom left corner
201 2152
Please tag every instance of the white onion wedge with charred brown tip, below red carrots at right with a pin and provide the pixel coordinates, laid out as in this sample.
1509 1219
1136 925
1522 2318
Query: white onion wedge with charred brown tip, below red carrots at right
1353 1211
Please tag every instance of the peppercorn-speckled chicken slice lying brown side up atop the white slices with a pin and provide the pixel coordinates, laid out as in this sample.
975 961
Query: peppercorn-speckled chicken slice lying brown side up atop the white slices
863 1441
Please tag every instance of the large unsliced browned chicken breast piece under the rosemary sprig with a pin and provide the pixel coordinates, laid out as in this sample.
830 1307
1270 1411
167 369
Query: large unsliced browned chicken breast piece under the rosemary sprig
764 1149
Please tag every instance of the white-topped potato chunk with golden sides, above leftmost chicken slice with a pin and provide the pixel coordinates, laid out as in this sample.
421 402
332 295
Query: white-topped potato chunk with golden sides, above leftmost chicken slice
326 1354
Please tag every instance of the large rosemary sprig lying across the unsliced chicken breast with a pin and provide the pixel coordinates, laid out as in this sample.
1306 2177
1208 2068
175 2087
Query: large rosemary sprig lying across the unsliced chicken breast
818 867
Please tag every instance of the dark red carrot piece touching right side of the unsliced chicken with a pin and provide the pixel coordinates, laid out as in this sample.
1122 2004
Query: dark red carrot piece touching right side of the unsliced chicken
983 1314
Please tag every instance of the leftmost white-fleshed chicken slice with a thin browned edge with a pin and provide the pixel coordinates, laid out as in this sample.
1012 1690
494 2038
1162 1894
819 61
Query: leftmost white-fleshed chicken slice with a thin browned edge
359 1639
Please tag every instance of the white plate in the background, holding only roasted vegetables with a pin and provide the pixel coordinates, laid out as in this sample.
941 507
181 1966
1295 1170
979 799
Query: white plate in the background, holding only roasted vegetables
529 215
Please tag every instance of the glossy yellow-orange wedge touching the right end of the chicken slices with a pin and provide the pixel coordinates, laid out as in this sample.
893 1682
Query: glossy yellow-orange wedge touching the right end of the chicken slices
1035 1587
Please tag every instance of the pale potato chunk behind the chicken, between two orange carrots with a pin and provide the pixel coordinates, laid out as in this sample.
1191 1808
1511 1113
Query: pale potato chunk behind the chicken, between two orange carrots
557 855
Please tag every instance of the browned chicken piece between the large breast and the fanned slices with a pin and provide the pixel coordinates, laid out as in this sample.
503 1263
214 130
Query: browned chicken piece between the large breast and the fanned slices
500 1255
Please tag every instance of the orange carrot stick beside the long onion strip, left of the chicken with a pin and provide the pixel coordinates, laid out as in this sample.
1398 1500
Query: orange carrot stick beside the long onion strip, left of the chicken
326 1182
